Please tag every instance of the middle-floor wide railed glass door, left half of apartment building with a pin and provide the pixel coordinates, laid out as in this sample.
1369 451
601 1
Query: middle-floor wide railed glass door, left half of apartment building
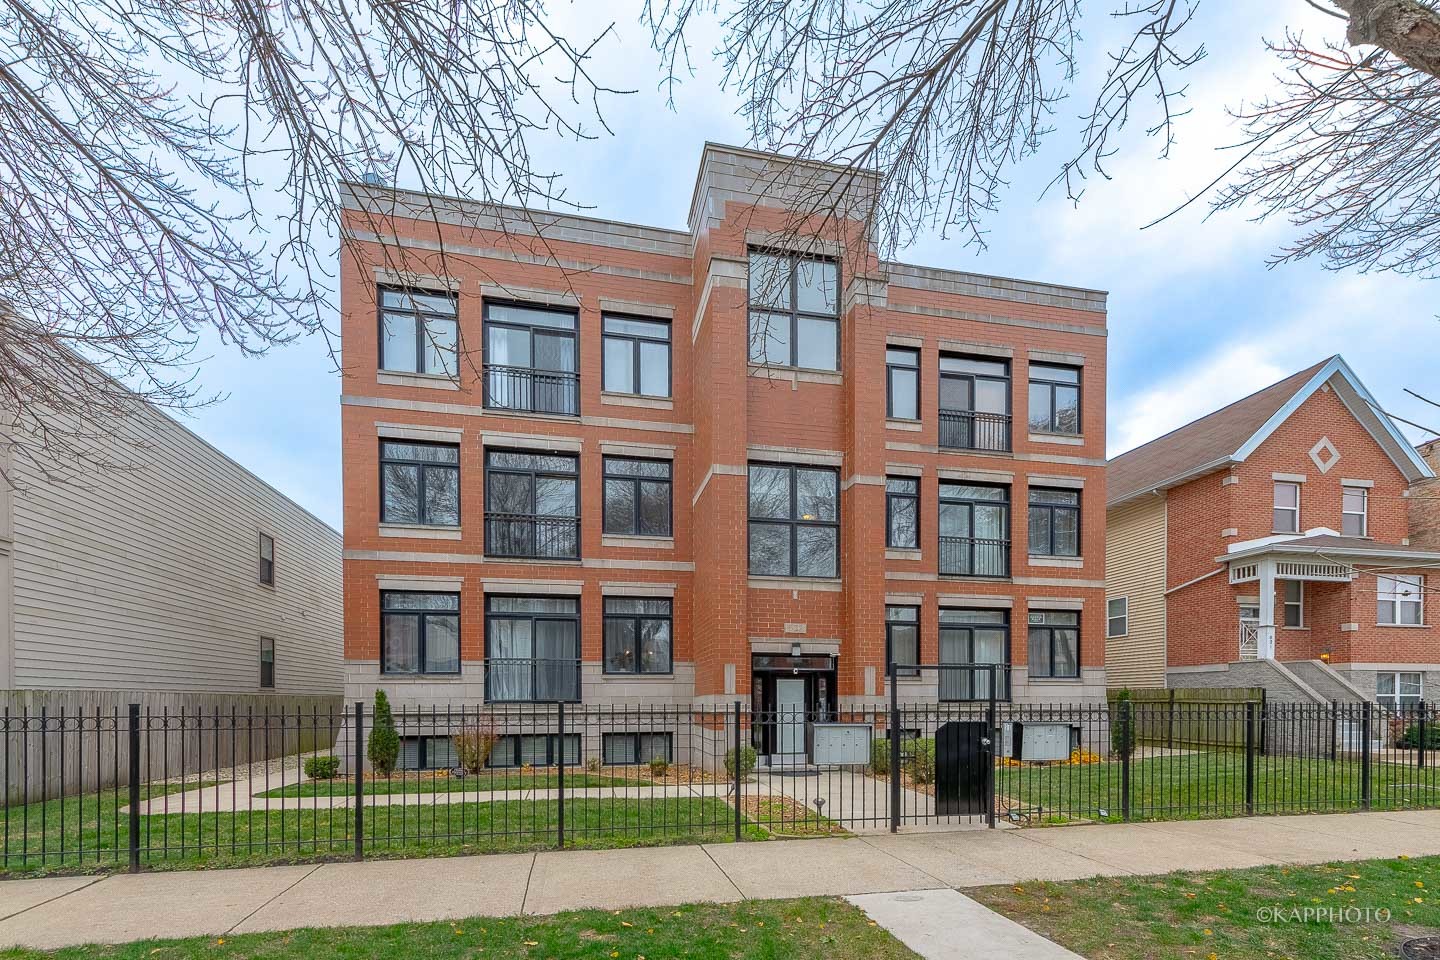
532 506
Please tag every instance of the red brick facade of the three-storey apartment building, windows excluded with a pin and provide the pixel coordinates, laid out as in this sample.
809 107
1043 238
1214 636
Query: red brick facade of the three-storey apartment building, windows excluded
724 414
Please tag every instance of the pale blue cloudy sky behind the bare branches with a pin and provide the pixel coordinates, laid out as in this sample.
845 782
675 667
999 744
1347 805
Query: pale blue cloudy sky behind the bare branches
1196 317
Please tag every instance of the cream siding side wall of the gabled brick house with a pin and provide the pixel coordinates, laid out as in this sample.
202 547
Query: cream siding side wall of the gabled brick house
1135 569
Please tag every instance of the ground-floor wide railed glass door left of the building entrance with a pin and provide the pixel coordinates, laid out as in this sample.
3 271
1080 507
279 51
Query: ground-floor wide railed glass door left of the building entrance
532 650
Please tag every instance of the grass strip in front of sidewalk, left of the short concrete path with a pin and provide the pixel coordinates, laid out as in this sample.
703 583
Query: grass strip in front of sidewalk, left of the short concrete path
817 929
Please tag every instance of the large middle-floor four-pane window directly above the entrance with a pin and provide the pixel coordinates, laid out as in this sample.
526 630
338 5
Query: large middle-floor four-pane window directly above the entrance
794 522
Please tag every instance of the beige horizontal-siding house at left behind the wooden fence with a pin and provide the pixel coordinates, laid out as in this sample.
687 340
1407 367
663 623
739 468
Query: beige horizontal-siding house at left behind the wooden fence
149 581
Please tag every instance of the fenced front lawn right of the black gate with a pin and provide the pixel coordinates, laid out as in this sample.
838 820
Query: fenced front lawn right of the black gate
1210 785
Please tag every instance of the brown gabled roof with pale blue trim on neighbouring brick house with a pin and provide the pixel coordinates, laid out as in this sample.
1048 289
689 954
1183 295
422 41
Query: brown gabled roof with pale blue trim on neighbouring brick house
1232 434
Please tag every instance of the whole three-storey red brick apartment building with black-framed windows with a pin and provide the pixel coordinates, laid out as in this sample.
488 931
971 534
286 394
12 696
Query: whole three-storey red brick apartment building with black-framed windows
614 464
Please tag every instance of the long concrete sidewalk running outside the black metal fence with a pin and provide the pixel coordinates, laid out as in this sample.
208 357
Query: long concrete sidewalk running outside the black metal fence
66 912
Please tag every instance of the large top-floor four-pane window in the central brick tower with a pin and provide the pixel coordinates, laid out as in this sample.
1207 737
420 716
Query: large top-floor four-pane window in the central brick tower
794 312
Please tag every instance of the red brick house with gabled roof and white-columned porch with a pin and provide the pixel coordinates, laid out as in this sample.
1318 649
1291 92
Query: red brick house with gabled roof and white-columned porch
1269 545
